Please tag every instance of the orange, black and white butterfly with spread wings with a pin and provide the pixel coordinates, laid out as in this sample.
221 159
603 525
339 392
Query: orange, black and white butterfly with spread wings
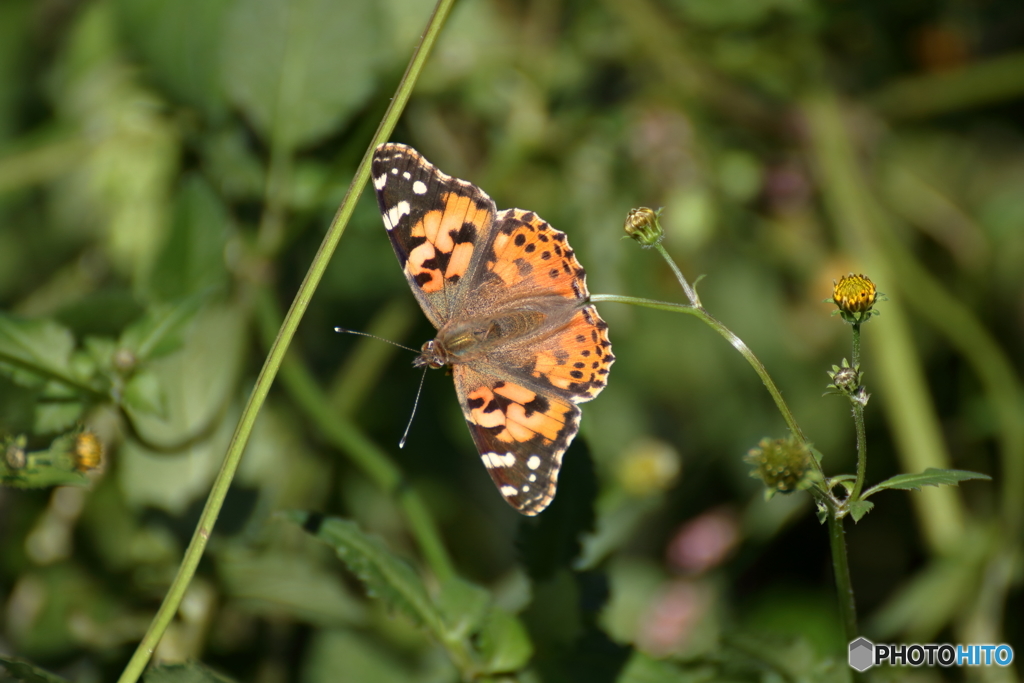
515 323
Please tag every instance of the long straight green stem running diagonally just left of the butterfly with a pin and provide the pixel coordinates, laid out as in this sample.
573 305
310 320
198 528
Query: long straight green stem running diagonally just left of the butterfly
277 356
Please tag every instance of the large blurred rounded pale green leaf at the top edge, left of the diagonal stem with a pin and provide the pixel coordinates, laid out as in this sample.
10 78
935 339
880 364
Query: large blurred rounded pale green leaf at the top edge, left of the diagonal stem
300 69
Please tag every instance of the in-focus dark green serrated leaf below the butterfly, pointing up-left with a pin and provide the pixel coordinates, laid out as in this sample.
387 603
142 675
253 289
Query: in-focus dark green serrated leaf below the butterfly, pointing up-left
387 577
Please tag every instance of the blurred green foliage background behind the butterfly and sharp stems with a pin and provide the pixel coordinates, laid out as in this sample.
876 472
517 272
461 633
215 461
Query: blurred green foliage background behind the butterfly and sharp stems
168 169
